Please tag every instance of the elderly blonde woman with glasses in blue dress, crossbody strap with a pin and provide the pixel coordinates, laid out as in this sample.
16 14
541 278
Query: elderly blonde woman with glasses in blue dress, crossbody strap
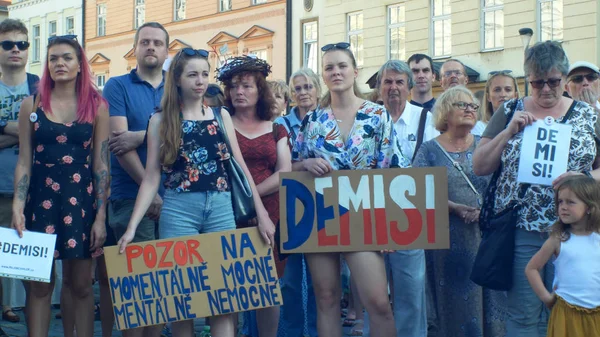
457 305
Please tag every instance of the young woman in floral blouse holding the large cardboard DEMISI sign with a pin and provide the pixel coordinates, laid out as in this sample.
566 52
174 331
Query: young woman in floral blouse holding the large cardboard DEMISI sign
347 133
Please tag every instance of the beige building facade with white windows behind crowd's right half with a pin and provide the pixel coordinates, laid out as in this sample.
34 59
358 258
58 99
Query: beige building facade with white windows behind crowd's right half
484 34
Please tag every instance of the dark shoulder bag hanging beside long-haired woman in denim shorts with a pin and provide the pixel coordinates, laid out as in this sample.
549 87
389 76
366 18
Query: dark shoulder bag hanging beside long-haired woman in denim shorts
241 193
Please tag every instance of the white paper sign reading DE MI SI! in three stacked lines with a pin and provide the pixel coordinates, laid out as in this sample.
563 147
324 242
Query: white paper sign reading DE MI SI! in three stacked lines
544 152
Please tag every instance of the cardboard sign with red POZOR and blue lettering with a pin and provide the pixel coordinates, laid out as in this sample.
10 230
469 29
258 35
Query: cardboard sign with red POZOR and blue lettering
163 281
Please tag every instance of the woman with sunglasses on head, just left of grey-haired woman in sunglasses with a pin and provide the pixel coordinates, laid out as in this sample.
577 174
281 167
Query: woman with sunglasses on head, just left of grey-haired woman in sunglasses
500 87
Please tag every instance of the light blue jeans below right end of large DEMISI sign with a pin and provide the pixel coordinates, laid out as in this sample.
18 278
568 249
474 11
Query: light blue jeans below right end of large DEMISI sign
407 268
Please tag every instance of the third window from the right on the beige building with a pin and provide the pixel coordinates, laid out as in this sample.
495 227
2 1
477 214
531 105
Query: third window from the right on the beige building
441 28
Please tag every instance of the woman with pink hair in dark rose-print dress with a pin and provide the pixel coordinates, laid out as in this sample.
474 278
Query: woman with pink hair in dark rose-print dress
62 179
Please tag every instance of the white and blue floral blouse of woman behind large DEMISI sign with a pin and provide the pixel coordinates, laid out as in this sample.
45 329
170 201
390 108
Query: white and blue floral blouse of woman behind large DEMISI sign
371 143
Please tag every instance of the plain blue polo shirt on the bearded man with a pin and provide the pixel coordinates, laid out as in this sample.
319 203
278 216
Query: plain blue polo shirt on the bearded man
131 97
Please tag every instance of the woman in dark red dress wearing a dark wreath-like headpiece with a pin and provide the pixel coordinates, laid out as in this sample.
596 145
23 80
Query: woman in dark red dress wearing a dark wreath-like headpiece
264 146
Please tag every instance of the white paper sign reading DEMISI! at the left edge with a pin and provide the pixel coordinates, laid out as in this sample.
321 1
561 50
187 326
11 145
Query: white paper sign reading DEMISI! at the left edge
28 258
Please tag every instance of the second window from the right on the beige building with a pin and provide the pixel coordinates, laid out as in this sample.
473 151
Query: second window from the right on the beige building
492 20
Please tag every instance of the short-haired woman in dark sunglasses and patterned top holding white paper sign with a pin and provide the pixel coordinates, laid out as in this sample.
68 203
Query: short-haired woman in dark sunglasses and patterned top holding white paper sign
546 67
